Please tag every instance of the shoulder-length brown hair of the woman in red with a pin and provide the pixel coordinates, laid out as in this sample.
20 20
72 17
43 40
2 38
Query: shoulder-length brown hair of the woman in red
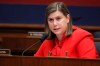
57 6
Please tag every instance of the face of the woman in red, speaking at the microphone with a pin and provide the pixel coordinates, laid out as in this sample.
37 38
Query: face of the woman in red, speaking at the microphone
58 22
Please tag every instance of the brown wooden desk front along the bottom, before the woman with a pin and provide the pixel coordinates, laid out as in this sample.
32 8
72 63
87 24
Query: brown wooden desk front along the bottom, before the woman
46 61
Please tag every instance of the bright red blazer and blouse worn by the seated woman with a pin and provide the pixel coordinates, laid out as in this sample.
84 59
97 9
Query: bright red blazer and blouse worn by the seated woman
79 45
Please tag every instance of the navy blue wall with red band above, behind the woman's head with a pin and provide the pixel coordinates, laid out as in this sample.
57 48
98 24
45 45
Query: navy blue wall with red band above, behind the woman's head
85 12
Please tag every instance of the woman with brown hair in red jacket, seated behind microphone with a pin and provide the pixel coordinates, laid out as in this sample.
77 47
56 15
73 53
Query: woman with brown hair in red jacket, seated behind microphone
65 39
